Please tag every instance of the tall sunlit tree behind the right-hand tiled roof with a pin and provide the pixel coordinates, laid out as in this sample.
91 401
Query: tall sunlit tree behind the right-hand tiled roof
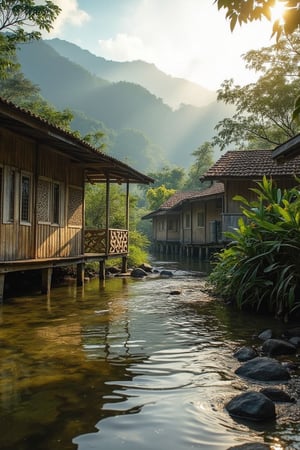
264 110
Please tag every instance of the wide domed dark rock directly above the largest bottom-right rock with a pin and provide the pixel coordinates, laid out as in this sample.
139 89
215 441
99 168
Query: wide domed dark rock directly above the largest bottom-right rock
263 369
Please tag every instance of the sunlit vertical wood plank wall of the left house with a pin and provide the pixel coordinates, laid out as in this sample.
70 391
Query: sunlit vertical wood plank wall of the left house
41 240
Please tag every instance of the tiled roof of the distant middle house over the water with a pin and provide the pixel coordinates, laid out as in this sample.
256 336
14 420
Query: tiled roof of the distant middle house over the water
180 197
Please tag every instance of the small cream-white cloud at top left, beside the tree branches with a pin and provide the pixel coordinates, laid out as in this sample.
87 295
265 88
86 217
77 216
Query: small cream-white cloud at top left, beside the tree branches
70 14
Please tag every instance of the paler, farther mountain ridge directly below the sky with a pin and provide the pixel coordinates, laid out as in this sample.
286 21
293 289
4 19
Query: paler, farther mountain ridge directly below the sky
173 91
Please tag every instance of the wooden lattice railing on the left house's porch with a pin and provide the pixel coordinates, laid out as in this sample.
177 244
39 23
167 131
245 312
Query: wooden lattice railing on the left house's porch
106 242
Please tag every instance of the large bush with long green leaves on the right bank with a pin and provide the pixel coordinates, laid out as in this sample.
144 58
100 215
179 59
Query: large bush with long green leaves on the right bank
260 269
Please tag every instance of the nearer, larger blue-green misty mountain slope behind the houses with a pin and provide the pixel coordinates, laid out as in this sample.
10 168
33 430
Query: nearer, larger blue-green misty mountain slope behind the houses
153 133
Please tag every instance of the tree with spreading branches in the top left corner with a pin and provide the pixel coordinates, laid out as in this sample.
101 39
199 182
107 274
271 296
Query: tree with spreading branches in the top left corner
22 21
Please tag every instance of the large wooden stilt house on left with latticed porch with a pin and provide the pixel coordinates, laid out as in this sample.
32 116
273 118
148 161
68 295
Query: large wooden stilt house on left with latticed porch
43 171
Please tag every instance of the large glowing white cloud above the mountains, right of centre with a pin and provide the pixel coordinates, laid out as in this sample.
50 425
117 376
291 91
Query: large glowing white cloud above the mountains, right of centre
191 39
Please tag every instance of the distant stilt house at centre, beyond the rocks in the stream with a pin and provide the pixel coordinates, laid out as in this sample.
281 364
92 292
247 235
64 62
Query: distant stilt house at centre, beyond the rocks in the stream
189 223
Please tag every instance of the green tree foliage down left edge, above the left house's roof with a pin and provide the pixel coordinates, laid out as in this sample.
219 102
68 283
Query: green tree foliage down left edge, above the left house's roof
17 19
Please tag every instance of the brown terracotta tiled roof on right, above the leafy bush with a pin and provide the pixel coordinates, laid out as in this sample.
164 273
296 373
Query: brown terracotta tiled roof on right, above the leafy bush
251 164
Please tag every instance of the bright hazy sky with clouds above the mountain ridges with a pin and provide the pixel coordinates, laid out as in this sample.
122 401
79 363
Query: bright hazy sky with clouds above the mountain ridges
189 39
